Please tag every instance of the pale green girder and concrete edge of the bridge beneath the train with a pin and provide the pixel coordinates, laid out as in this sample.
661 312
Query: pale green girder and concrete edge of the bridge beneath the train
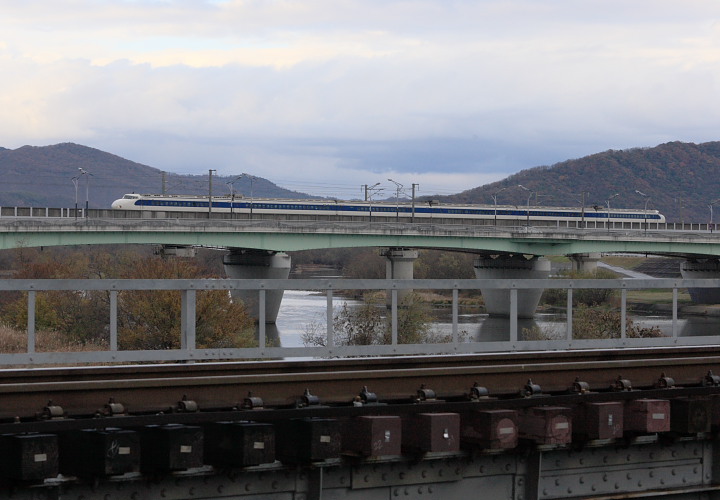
295 238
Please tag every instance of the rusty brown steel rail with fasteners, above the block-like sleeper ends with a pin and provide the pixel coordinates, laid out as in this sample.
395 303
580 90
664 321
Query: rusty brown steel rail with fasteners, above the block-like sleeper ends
158 391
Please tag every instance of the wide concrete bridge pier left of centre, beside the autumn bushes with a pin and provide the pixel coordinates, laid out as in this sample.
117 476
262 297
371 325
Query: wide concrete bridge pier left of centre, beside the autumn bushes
258 264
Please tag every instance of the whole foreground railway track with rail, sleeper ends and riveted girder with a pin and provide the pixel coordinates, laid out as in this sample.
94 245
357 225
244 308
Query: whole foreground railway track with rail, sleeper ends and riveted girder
289 427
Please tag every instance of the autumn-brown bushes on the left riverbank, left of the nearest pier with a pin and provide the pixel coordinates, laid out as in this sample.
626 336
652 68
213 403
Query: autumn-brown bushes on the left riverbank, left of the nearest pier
146 319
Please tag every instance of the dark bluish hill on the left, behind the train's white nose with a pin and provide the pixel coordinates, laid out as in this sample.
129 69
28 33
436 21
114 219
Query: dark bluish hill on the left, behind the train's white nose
42 177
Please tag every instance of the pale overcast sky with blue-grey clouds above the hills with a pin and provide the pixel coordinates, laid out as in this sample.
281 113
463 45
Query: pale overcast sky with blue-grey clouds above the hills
322 96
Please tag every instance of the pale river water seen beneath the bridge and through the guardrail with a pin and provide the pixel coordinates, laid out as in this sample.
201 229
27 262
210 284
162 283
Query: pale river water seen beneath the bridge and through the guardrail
302 311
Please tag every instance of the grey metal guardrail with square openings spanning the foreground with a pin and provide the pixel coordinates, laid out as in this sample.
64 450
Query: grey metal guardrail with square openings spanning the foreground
190 352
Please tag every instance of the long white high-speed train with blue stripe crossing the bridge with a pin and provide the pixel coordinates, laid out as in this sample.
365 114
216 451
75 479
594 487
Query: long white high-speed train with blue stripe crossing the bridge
358 210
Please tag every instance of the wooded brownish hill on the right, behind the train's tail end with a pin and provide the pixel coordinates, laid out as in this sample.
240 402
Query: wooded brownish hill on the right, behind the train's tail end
679 179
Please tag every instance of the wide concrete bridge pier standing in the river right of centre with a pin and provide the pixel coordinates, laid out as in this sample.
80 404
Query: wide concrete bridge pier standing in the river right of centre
497 302
